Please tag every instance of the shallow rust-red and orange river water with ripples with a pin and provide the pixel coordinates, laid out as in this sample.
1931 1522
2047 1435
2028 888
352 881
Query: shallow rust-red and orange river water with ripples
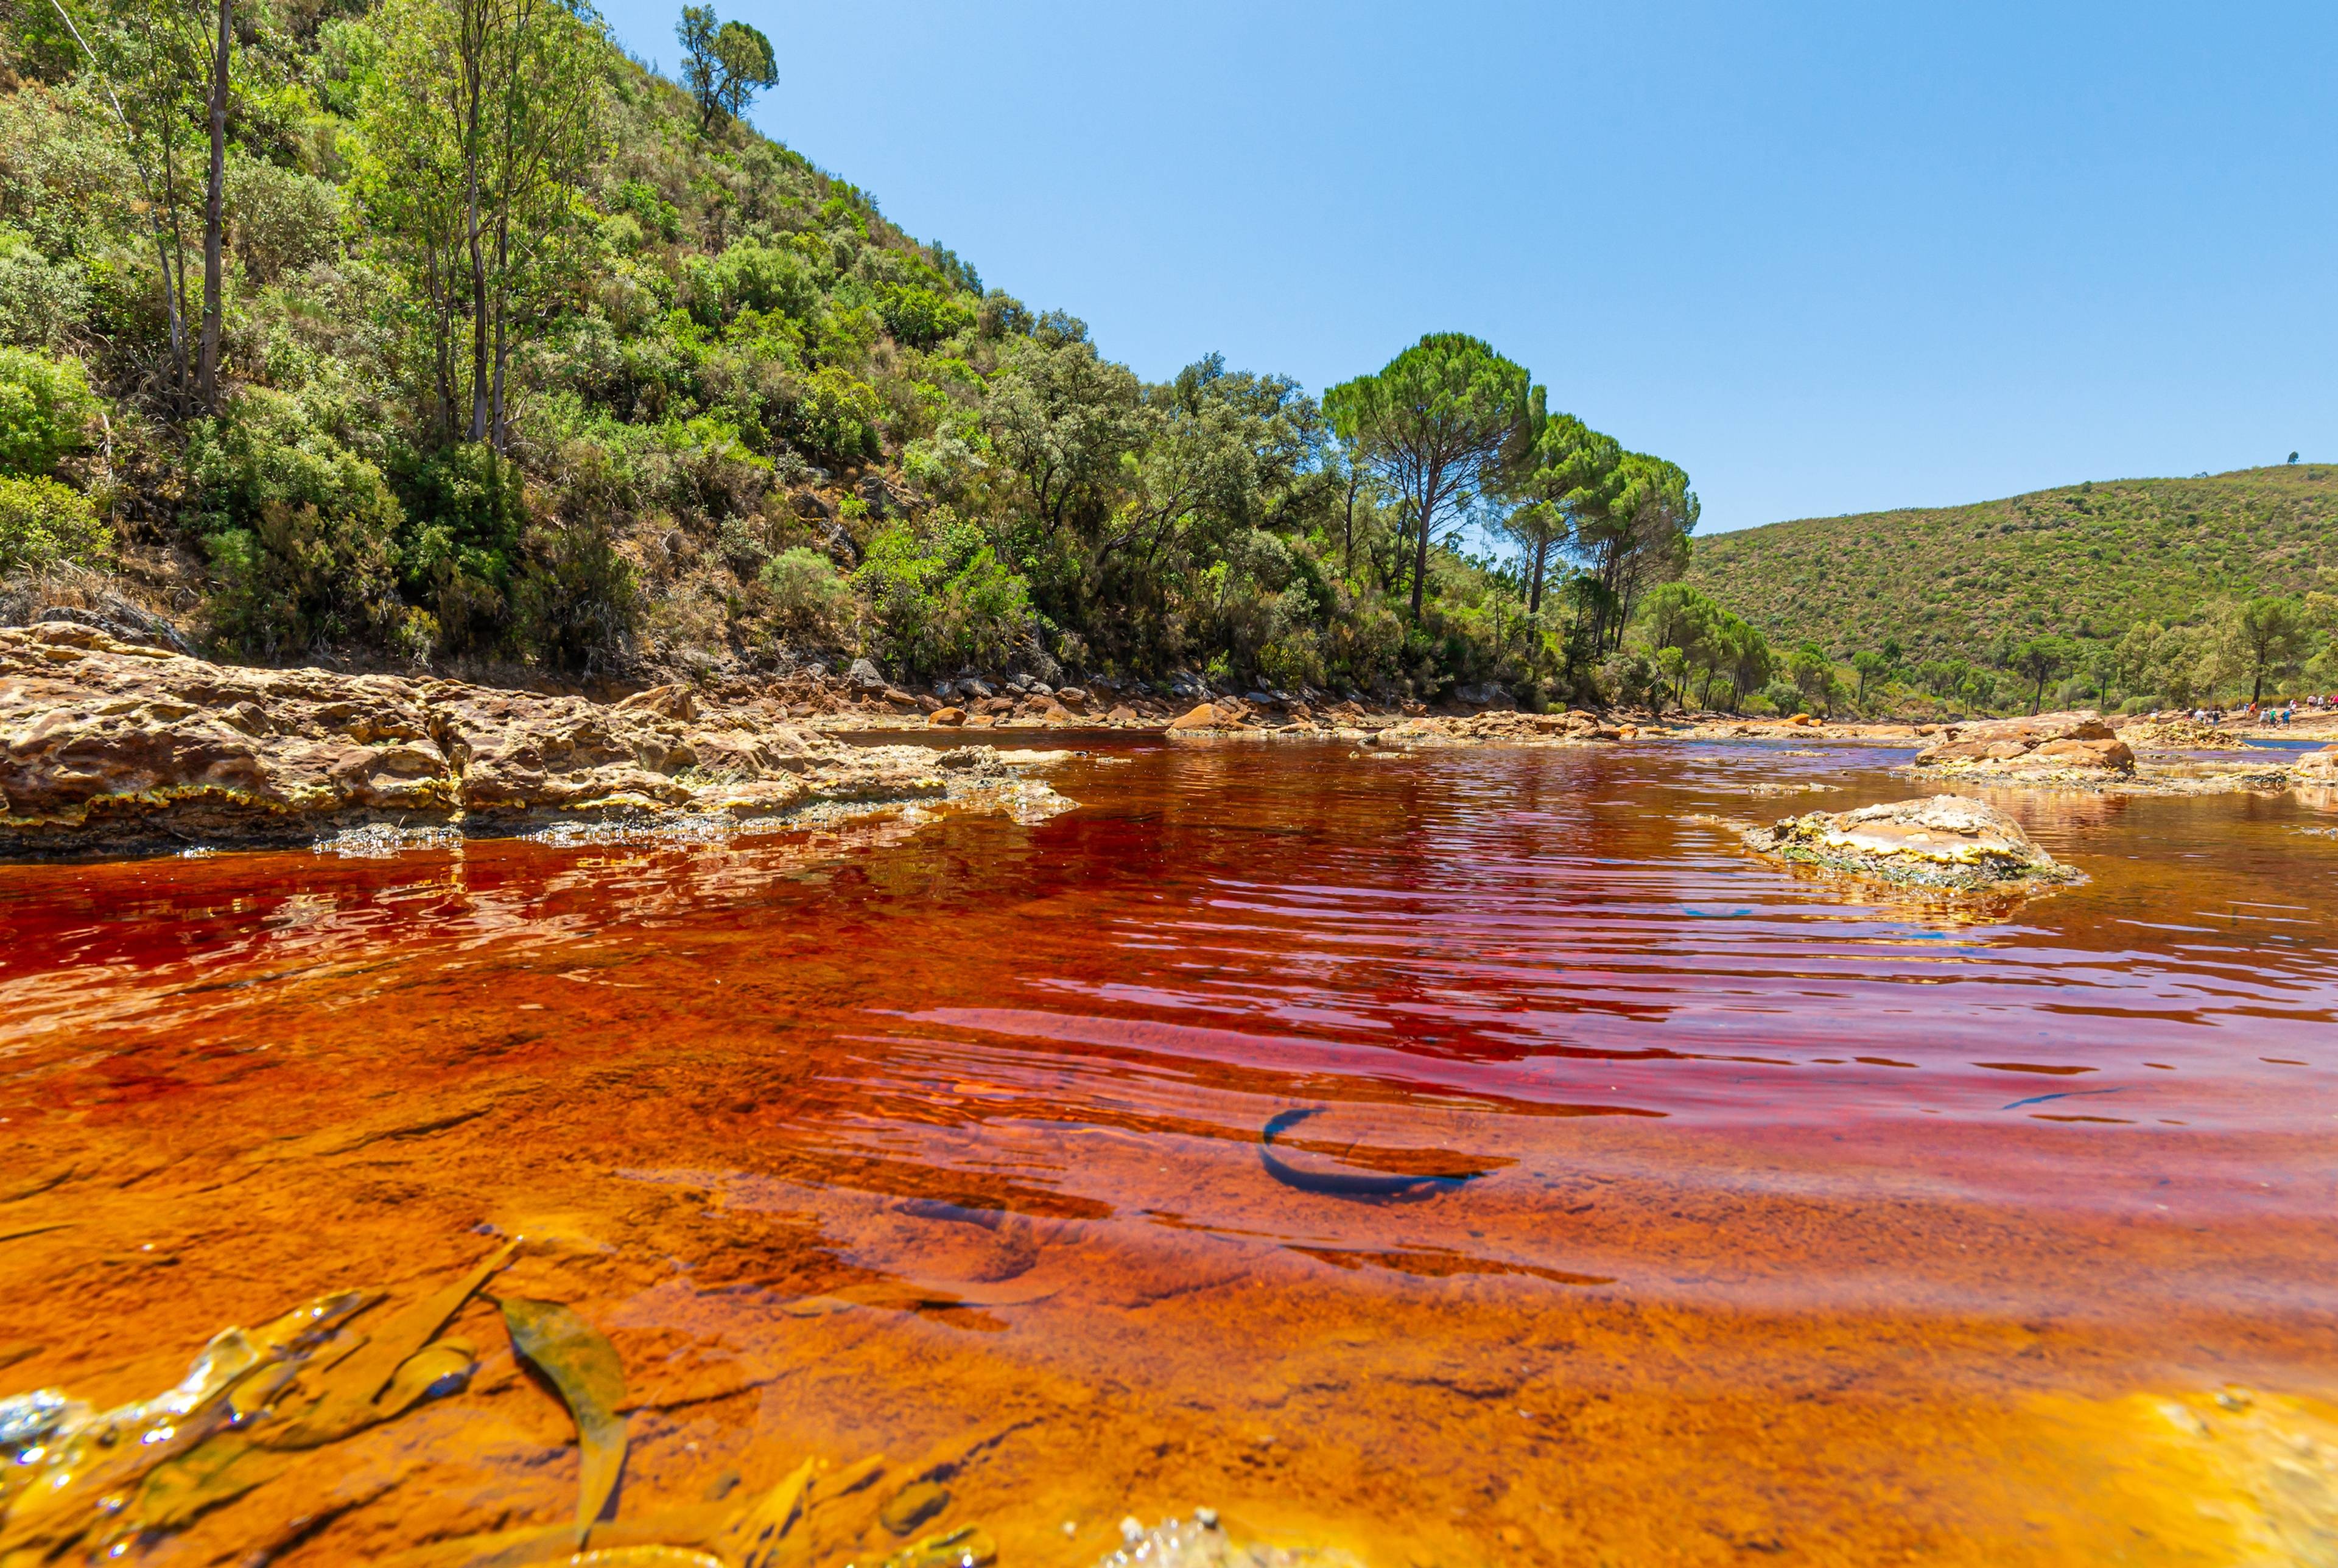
1804 1226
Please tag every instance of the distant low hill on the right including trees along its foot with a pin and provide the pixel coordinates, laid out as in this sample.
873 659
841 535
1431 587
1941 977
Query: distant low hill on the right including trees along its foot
2140 590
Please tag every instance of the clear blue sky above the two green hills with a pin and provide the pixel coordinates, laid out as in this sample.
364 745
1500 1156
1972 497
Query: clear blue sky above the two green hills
1829 258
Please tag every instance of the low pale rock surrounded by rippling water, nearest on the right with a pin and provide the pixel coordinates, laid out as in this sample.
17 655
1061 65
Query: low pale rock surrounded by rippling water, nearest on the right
1939 842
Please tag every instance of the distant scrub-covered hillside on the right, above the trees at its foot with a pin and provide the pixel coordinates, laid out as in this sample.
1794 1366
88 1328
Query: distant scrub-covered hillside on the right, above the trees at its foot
2087 562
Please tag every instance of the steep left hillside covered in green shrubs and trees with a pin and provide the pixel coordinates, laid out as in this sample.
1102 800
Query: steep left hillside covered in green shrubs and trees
441 333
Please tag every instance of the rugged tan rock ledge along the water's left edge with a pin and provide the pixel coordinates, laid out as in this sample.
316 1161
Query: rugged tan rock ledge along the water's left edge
111 747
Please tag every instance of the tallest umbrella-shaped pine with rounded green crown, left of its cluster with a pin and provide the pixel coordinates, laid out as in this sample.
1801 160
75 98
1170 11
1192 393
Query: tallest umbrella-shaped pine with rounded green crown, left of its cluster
1437 424
